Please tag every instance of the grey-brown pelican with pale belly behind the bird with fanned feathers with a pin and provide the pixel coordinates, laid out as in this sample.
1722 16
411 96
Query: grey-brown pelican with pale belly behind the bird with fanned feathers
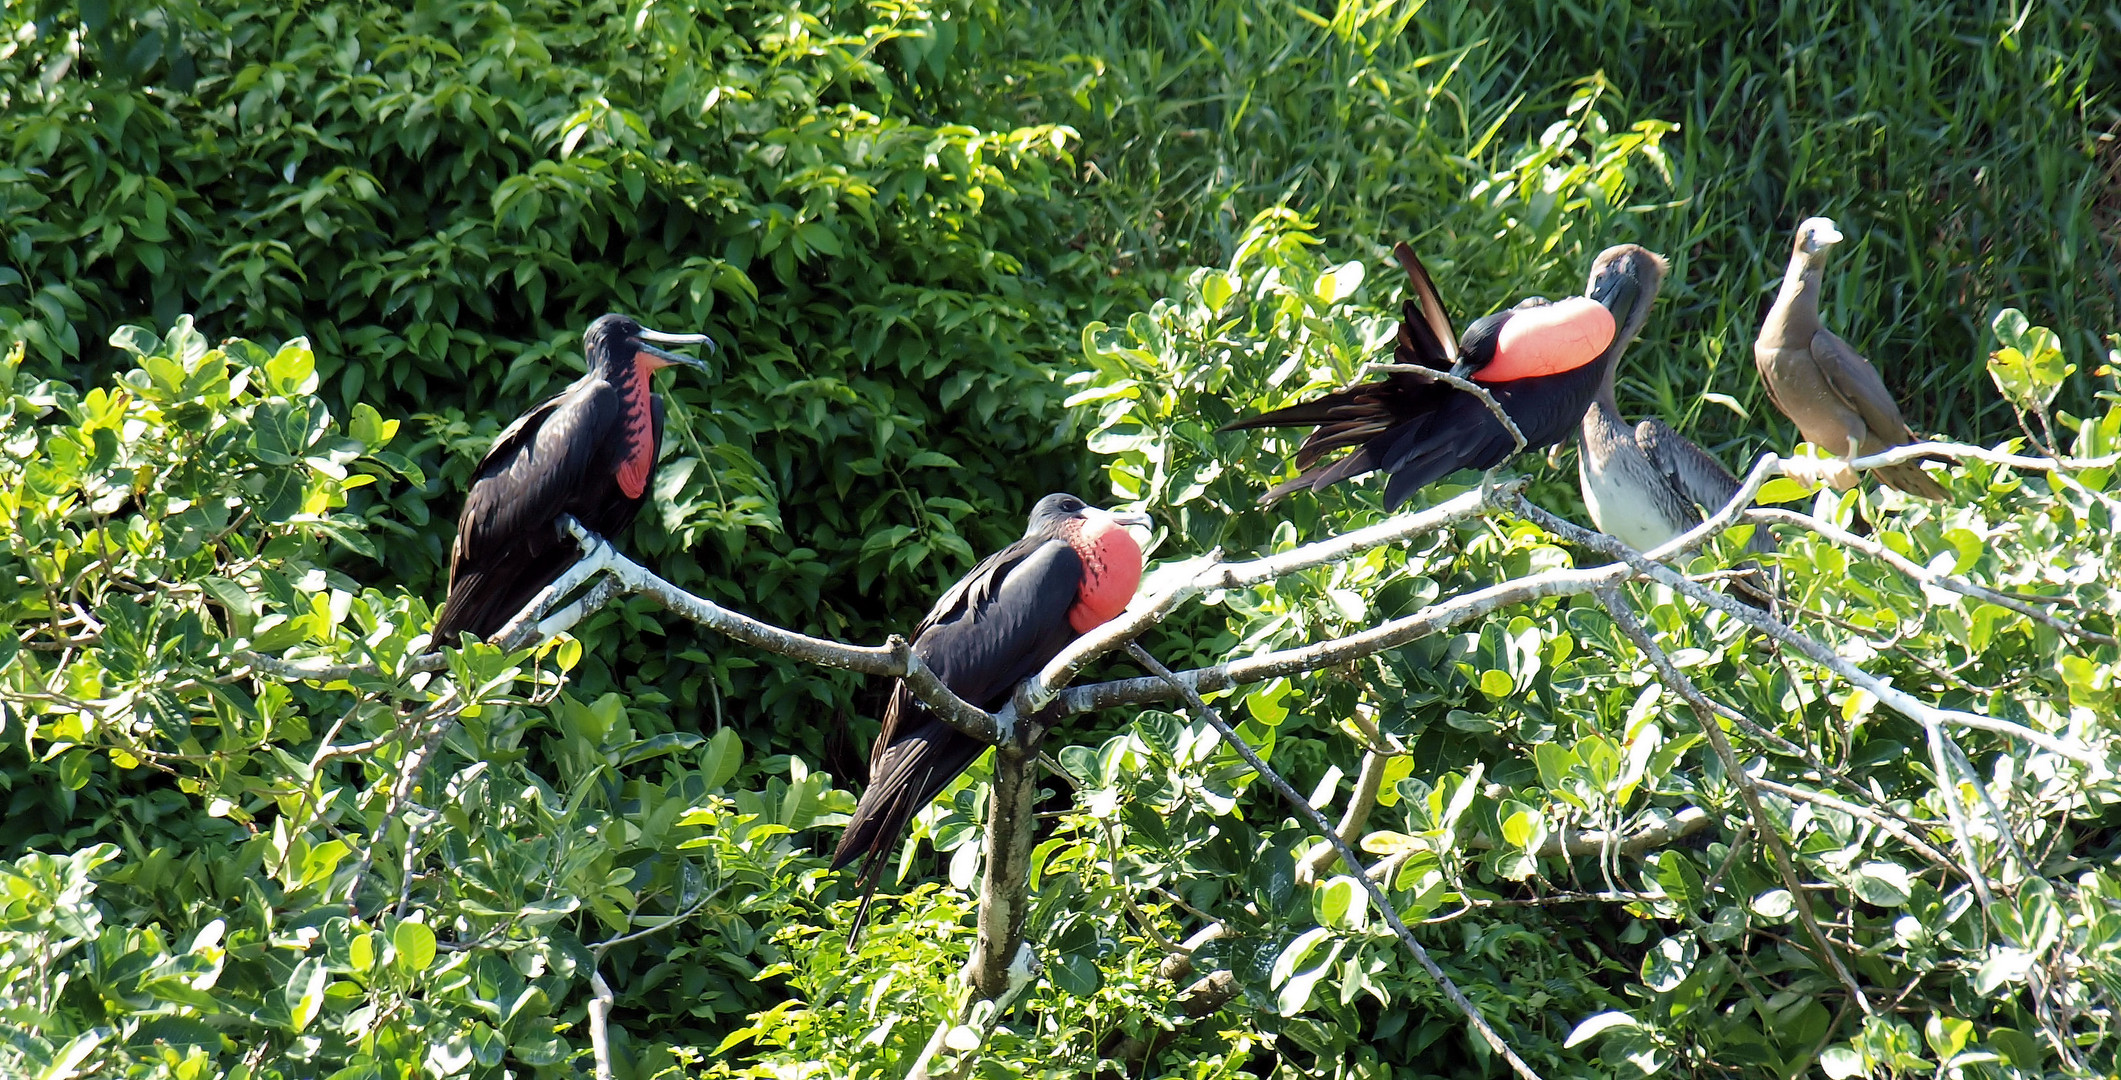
1647 485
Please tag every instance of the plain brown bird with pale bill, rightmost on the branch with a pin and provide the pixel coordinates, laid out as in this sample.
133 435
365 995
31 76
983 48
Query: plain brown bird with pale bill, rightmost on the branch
1836 398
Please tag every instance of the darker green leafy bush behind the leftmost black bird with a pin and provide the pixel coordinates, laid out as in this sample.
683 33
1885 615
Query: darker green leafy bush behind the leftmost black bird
444 196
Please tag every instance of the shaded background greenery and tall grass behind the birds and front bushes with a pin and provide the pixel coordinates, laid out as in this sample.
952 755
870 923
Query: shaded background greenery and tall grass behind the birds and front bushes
898 217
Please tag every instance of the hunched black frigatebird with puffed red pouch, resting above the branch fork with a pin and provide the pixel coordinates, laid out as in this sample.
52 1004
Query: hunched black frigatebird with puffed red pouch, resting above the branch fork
1074 570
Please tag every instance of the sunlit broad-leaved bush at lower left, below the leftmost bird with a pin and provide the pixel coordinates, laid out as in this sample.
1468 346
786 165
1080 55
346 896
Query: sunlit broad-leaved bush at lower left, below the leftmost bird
251 873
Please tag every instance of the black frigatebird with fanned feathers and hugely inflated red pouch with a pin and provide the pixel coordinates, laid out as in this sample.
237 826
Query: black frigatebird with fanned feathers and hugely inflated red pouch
1539 362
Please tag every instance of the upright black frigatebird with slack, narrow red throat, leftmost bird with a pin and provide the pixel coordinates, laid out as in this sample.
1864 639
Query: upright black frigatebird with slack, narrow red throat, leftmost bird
586 453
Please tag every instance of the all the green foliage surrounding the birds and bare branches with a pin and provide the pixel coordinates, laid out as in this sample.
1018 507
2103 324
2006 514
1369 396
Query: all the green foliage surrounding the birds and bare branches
960 256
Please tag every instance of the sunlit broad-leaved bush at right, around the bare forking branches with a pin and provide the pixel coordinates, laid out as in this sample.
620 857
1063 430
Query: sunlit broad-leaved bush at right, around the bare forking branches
1541 722
